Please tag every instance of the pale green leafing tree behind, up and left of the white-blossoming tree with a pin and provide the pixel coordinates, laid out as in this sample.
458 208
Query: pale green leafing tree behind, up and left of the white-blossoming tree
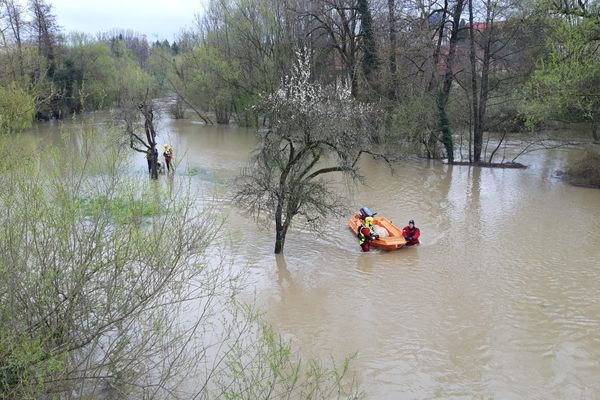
247 48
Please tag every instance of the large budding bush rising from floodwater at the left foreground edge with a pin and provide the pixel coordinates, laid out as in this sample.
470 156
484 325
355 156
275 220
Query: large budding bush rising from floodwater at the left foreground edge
92 300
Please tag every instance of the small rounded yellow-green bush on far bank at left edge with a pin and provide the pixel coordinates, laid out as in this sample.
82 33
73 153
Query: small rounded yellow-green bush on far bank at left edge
16 109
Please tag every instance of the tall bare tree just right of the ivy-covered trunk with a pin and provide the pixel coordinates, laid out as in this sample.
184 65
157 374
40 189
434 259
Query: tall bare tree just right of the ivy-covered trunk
498 54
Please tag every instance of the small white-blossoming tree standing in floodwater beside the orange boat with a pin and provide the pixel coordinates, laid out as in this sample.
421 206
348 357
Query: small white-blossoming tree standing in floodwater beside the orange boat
312 131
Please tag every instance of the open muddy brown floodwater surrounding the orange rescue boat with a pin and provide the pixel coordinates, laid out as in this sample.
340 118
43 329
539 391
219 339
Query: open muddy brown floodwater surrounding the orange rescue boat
501 300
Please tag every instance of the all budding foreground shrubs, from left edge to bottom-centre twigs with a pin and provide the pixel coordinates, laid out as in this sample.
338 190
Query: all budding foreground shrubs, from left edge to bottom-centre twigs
110 288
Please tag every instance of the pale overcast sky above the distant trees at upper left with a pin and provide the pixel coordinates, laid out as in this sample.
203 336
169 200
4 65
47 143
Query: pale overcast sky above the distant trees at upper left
162 19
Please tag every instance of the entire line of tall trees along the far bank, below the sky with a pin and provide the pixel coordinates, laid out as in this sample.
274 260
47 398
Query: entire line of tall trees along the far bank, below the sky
446 72
